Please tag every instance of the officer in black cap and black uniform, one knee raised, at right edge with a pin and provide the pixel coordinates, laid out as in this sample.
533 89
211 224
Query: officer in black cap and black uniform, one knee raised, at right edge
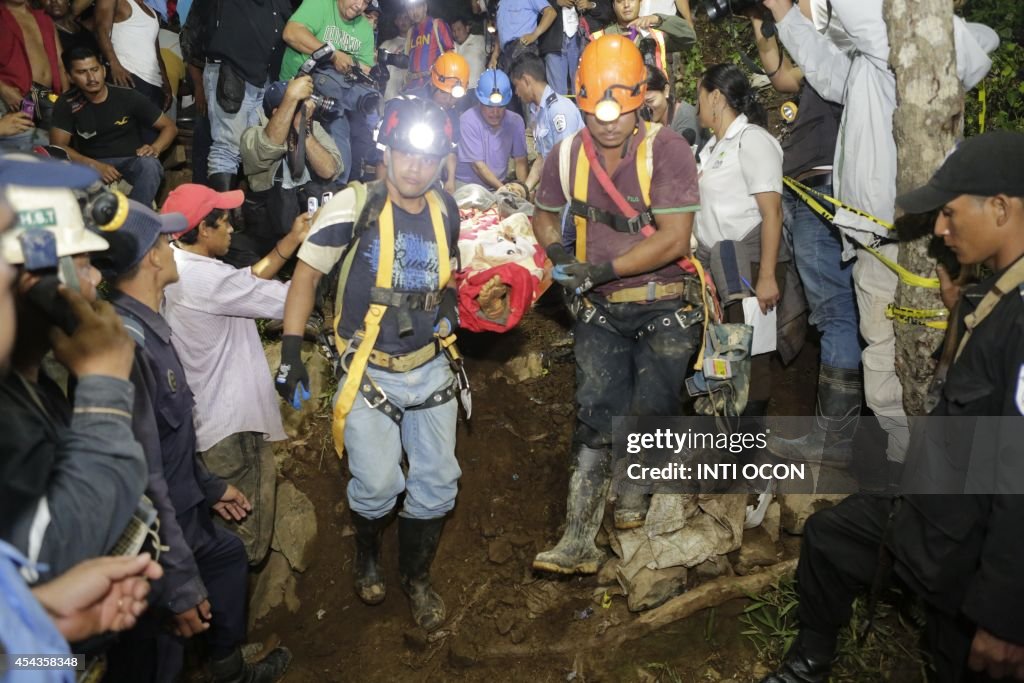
962 553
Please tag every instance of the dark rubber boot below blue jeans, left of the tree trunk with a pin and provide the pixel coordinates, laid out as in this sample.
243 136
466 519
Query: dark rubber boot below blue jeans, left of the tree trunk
837 415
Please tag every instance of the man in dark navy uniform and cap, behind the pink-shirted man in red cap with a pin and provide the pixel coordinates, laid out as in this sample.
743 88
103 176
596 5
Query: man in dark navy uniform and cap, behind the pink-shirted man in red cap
141 267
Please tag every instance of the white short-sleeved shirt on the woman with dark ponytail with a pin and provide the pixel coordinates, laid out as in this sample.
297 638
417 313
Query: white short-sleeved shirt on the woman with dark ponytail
747 162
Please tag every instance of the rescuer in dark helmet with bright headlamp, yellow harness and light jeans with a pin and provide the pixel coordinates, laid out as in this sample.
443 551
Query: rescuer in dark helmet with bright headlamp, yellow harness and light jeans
395 305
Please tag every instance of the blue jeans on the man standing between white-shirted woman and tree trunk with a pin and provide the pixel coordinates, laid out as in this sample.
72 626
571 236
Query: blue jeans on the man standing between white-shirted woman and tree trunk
828 281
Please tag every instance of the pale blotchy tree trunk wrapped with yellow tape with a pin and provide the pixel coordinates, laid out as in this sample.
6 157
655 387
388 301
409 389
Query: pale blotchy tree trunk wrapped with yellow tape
927 122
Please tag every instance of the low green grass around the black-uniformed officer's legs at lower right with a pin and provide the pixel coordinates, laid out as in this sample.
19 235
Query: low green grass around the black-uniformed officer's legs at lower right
889 652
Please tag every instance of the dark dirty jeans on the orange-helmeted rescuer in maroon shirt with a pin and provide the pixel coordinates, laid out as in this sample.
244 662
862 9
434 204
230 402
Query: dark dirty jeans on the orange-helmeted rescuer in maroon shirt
618 376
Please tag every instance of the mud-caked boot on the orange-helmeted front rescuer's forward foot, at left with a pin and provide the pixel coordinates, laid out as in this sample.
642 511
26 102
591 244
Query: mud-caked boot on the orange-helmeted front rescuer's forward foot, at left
576 552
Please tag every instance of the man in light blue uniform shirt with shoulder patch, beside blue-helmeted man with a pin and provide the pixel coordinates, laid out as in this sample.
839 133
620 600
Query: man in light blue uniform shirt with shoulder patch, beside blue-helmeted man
554 117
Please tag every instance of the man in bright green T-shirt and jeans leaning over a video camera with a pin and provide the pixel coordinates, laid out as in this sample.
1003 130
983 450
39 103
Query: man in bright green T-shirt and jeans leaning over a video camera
342 26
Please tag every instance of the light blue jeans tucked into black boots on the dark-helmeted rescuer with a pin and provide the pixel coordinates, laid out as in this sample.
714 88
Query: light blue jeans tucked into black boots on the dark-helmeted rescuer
375 444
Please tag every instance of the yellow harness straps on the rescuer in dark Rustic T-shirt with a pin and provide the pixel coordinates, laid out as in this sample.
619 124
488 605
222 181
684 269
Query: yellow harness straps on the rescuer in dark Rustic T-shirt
362 345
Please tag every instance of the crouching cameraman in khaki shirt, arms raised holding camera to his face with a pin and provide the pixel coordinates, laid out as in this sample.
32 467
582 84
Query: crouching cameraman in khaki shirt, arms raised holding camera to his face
276 196
